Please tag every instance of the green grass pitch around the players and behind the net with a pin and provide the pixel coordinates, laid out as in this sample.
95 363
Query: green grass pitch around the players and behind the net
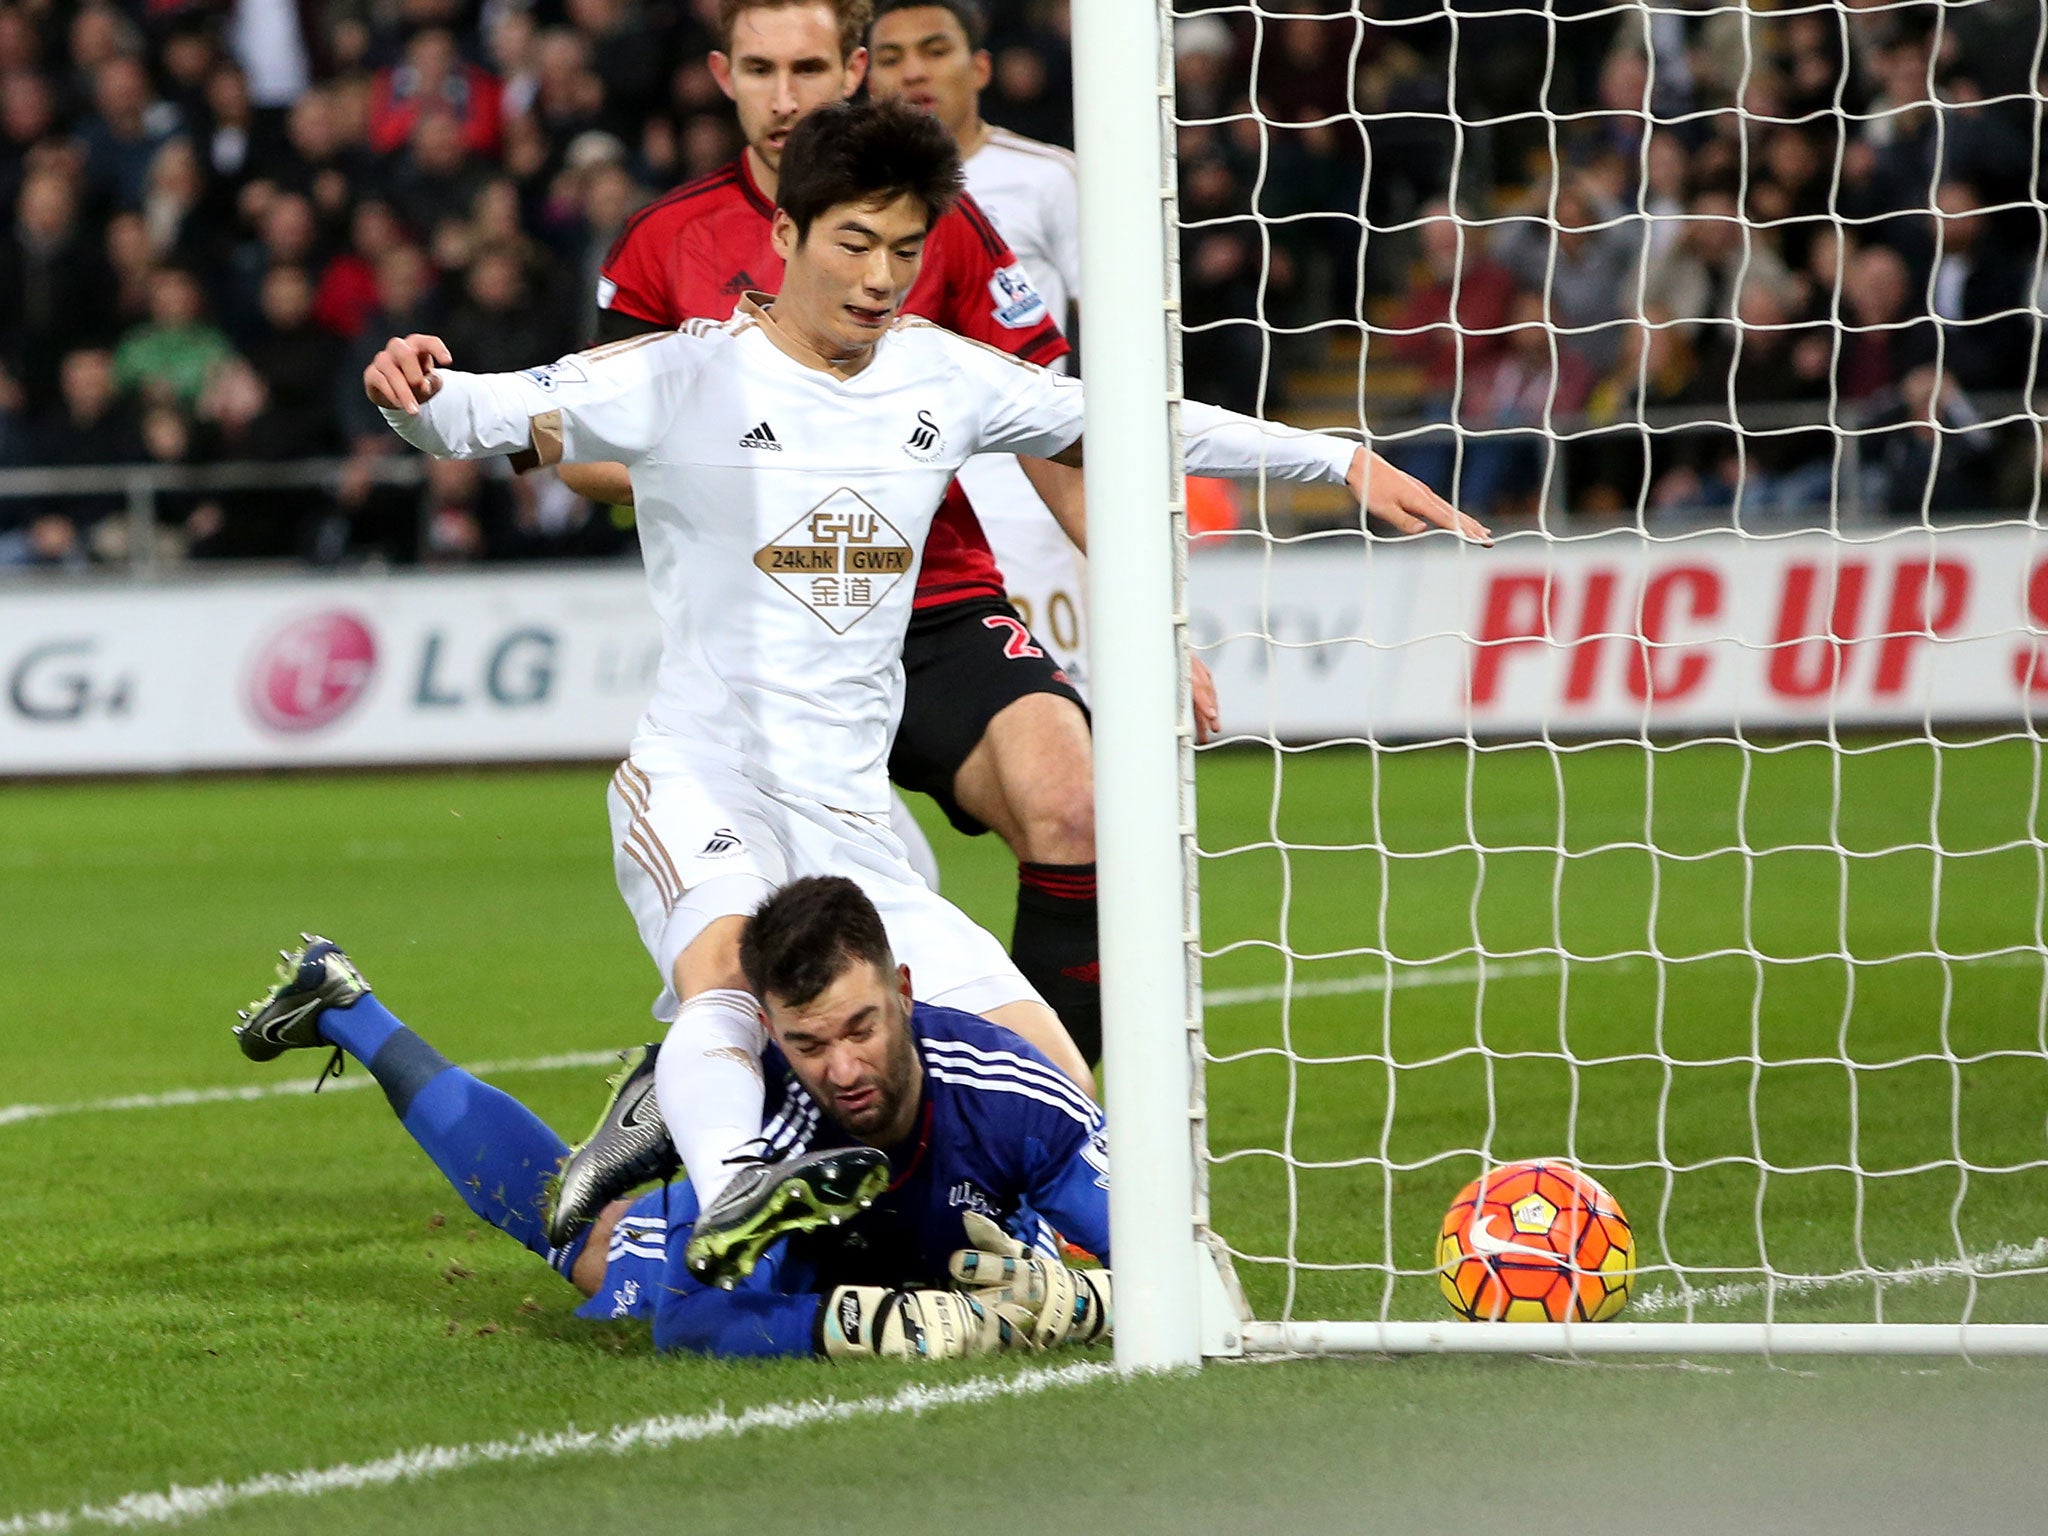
228 1289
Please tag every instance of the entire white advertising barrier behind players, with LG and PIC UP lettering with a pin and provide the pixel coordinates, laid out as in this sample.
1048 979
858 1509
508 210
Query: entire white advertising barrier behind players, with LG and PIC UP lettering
1308 642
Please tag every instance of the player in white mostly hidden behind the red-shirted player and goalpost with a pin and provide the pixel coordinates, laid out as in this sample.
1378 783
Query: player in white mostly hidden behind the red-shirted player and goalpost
931 54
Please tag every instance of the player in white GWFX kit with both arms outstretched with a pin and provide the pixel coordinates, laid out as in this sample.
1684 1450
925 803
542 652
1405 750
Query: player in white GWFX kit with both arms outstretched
783 583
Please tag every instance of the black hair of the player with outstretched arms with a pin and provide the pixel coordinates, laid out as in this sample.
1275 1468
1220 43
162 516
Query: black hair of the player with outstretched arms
867 153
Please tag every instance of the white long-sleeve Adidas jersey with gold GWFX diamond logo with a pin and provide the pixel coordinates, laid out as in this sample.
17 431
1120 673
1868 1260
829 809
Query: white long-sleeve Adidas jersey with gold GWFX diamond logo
783 511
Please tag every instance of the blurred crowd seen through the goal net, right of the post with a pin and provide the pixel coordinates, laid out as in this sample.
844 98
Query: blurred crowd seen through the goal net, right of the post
1658 265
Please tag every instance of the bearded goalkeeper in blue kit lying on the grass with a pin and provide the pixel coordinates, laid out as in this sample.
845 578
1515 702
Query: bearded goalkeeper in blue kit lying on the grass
929 1236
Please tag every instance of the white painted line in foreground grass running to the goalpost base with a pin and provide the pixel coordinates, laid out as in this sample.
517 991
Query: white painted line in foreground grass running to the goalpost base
177 1502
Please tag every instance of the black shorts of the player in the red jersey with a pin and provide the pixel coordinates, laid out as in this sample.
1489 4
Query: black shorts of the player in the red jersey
964 665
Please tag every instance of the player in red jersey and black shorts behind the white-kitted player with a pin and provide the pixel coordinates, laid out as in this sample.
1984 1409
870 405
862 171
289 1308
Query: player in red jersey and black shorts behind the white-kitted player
992 728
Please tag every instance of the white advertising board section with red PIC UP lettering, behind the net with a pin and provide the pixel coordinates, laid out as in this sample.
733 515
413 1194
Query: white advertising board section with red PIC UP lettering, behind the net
1621 636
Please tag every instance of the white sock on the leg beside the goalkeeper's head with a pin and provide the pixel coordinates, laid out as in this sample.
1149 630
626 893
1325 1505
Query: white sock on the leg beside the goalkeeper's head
710 1086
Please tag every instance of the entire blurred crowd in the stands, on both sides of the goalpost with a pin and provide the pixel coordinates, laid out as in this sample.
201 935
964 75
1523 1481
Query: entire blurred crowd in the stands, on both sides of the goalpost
222 208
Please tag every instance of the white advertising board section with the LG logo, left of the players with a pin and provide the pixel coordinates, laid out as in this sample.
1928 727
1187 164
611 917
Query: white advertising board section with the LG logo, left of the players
366 671
